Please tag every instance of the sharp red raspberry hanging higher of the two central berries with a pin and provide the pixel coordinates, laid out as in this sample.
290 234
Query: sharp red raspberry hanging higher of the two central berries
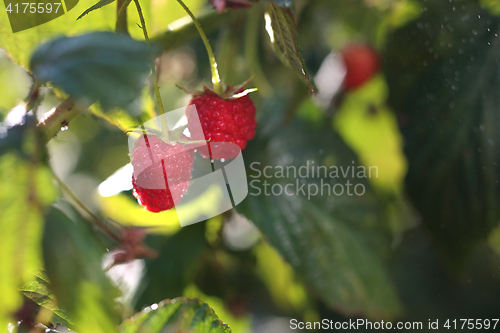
222 120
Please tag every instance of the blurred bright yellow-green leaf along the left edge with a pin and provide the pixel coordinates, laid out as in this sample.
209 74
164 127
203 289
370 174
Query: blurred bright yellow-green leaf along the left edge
26 188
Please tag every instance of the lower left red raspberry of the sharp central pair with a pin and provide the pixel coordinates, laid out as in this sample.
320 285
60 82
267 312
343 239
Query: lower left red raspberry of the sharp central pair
161 172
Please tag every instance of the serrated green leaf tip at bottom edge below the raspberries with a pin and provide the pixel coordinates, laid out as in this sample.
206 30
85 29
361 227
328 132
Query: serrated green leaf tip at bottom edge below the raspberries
177 315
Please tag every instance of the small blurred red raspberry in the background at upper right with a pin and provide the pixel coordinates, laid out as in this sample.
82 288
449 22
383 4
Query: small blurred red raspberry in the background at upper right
361 63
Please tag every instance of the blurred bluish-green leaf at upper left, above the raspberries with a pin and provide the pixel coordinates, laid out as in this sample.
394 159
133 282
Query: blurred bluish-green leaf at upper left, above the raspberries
101 66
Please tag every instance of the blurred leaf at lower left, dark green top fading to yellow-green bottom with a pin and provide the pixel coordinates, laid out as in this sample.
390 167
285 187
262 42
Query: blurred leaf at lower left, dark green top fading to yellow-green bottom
73 258
